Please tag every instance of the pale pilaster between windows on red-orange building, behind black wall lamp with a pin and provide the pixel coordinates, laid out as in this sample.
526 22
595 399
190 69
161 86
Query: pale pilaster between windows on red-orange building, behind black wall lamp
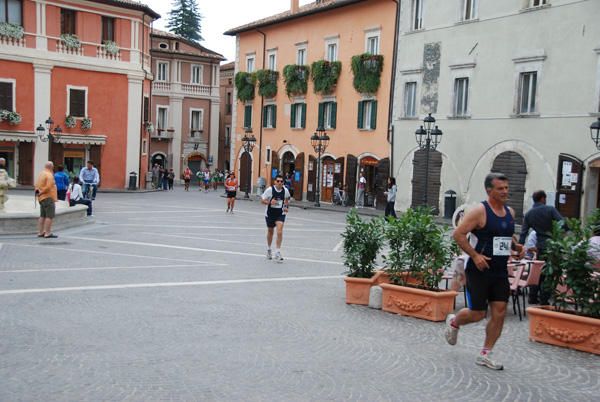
42 75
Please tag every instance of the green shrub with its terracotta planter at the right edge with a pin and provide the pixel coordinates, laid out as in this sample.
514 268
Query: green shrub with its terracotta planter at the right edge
572 275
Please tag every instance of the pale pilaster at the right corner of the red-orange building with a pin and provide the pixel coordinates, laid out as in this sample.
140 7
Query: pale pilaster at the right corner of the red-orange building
134 122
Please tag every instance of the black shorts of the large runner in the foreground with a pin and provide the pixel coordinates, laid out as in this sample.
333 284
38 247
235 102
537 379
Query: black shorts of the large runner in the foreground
483 289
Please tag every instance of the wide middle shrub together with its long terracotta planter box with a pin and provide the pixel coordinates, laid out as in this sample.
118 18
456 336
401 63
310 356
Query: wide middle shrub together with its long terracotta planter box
419 250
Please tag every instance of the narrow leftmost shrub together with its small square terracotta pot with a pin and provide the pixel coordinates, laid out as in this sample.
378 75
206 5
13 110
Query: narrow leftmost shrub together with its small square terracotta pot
362 242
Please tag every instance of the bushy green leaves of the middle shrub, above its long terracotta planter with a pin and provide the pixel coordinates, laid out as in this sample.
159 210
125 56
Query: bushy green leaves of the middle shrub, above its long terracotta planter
418 248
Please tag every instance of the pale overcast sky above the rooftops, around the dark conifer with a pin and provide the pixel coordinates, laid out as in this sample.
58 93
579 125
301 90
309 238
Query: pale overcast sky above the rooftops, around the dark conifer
220 16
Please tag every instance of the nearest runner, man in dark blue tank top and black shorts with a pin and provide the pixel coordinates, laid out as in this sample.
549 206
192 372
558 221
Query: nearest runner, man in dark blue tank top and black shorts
487 276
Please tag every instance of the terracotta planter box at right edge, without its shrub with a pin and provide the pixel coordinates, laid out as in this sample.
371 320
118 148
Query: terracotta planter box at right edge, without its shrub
562 329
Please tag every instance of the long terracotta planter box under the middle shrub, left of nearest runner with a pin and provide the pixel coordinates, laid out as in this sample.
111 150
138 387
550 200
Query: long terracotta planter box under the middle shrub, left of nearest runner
413 302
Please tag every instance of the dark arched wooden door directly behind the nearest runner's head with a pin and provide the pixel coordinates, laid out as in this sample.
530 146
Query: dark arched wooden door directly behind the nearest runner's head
514 167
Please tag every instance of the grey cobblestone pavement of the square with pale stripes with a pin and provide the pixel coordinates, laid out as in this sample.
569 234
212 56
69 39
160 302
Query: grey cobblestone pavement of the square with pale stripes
168 298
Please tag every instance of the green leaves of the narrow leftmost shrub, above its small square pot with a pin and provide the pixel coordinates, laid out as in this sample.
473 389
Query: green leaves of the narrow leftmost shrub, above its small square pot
362 242
